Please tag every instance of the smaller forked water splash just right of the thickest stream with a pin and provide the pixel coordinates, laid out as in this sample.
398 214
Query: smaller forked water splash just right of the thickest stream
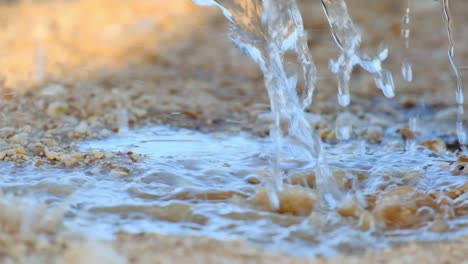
348 38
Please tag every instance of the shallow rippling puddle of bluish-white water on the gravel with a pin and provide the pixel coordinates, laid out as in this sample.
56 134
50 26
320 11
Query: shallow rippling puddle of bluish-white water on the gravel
189 183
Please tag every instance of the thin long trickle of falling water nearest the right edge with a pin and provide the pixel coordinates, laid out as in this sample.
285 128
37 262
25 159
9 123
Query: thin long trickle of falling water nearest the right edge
461 132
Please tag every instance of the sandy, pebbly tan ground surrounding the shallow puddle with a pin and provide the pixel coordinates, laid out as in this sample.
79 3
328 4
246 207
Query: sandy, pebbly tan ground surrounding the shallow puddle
76 70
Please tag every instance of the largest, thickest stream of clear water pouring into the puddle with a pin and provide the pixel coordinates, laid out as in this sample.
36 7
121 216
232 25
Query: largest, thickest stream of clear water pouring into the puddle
266 31
